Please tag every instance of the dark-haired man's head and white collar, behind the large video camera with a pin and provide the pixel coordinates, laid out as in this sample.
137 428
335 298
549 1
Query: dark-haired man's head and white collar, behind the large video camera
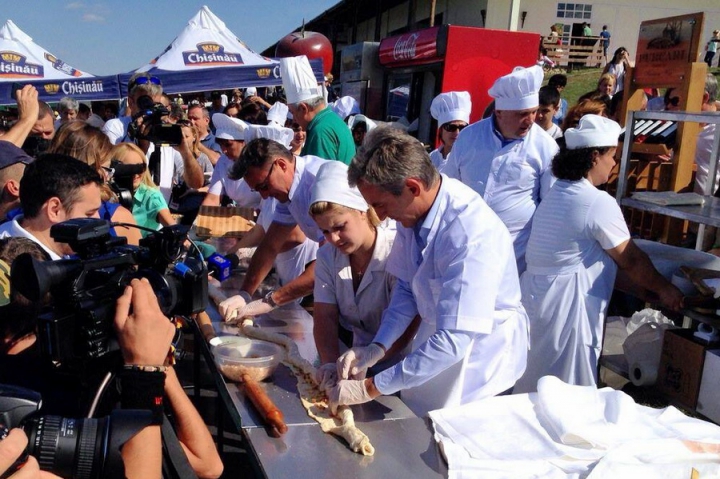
54 188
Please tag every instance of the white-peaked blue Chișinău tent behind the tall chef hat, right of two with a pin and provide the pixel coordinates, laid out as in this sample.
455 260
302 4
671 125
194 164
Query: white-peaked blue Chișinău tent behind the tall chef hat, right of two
206 55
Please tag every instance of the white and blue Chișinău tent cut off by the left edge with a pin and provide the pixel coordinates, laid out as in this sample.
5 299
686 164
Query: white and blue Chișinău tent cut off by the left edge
23 61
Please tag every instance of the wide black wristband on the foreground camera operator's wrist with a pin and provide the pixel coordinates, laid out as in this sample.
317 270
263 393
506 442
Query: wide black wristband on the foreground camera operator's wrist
143 389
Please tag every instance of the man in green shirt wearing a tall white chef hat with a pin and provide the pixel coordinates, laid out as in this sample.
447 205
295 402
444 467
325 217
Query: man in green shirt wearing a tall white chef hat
327 135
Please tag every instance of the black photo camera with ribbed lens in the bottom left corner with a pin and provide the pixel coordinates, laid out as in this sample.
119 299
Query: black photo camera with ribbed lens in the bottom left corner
82 448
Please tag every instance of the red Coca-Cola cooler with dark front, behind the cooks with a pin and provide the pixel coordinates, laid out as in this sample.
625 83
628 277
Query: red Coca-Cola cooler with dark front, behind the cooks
420 65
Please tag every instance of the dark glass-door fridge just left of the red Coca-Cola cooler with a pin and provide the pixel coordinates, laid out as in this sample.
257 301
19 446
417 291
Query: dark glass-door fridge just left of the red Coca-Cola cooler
361 77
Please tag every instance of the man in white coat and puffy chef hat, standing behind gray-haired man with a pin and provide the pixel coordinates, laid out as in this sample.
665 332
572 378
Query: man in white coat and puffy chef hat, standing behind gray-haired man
506 158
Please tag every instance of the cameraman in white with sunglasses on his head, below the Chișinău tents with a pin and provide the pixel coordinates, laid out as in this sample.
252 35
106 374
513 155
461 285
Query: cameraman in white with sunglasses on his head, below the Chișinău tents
176 163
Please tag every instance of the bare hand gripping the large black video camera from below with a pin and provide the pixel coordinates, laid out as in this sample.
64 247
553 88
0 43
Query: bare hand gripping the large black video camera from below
146 334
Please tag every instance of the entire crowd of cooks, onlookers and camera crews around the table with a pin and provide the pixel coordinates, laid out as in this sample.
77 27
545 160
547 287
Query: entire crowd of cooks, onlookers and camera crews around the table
453 275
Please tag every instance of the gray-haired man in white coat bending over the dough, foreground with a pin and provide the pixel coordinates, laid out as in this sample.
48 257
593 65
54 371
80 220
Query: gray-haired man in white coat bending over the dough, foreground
455 267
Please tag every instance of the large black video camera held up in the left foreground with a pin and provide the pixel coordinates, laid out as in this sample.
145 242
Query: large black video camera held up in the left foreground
78 325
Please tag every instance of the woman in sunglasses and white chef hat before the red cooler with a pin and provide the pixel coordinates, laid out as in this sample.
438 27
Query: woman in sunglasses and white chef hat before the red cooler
452 112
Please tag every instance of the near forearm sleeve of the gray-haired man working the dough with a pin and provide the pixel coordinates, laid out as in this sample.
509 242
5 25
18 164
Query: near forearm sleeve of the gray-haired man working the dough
442 350
